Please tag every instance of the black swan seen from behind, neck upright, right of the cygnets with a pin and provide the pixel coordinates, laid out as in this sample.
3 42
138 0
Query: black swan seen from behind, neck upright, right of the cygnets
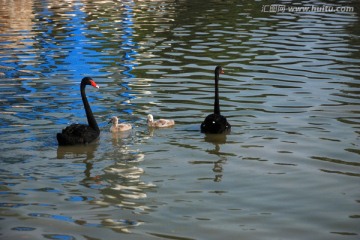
215 122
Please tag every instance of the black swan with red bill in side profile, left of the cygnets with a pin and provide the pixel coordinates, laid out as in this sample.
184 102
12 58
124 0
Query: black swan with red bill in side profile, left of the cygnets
81 133
